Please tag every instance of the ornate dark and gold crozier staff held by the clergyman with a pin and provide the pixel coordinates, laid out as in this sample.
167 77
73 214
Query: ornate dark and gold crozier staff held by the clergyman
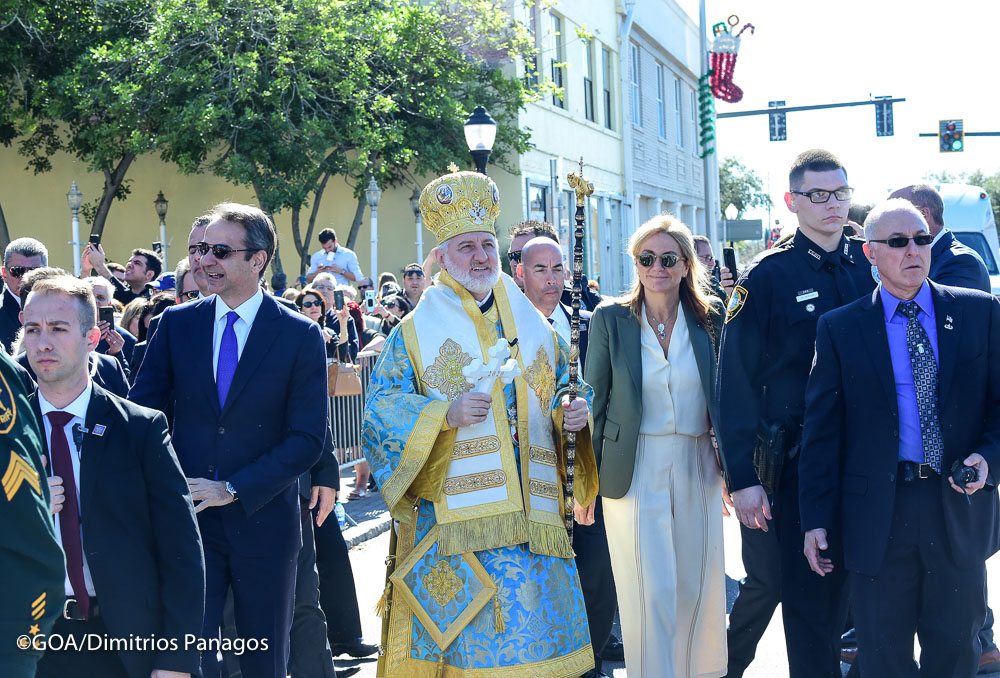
583 190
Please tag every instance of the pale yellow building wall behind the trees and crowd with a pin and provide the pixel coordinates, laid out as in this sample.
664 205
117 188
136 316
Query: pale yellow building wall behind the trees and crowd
36 206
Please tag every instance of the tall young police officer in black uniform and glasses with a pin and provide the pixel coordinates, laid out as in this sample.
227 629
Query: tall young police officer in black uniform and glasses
767 350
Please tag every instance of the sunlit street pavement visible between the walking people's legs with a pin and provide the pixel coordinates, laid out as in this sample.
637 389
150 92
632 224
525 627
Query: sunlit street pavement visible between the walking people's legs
367 561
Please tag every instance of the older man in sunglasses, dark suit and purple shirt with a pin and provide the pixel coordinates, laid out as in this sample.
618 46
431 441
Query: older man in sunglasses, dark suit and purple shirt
883 430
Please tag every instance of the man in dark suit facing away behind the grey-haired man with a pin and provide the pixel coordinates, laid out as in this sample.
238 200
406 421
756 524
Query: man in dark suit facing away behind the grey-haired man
952 263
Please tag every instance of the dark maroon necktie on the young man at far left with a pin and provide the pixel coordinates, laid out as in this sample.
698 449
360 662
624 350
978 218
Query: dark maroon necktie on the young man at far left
69 517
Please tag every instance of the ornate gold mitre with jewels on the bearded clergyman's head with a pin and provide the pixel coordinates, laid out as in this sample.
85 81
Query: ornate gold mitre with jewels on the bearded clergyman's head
460 202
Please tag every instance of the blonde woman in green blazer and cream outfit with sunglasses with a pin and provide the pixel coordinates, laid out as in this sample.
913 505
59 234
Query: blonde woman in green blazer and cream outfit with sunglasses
652 361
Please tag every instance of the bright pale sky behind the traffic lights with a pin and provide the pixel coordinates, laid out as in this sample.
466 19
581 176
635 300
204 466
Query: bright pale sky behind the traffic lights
940 56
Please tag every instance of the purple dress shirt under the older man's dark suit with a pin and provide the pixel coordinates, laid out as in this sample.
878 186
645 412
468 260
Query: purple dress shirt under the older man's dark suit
911 446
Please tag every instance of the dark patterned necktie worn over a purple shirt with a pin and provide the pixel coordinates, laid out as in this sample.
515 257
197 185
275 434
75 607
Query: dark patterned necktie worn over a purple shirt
925 381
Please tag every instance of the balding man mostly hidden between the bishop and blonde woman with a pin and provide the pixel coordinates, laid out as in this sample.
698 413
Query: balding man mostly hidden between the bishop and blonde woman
541 274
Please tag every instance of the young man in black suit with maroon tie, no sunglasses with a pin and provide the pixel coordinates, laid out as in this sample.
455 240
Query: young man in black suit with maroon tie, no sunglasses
134 570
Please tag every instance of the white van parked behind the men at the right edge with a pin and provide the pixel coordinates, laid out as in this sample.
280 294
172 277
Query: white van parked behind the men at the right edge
969 214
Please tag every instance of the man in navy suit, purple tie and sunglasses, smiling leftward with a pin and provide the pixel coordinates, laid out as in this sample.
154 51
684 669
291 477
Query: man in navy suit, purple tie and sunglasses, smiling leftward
222 363
